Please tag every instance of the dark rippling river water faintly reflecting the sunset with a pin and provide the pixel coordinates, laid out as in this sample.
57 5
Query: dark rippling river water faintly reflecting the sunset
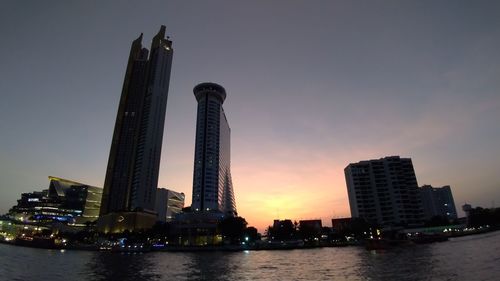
466 258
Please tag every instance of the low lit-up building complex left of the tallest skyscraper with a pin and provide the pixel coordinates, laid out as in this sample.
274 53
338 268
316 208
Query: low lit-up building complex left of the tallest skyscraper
64 201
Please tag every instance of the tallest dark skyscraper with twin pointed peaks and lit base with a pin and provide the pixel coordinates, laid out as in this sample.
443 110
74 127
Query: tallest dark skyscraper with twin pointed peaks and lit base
134 159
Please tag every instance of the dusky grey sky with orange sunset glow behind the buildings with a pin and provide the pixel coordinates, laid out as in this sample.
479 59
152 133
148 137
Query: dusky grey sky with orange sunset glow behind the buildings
311 87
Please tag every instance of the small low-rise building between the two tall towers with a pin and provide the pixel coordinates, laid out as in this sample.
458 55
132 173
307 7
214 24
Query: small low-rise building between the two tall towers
168 204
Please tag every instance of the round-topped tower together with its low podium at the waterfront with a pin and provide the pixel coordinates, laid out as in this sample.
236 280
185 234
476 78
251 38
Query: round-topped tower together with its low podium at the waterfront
213 195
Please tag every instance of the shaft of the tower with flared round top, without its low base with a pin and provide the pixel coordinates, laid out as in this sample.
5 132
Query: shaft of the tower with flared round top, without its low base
212 184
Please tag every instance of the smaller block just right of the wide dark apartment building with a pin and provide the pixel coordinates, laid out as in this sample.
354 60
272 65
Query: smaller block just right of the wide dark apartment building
438 202
